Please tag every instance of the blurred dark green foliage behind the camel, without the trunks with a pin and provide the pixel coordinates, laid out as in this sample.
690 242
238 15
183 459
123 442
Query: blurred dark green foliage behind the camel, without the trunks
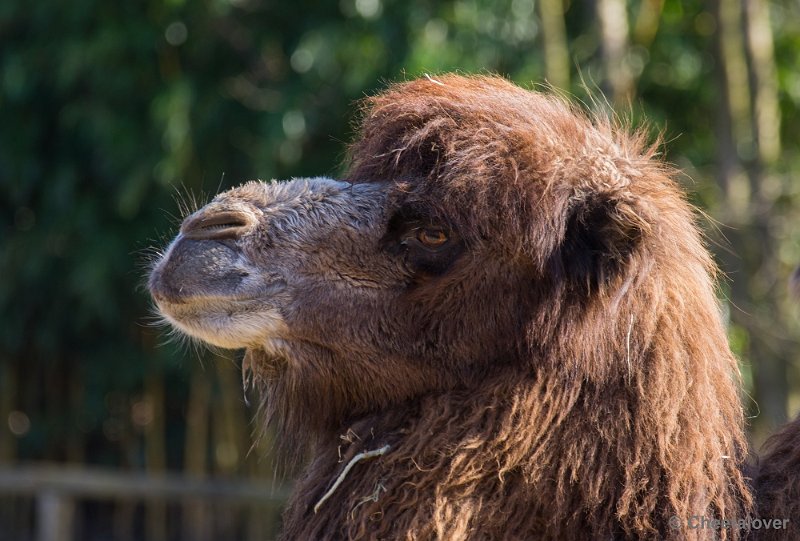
112 111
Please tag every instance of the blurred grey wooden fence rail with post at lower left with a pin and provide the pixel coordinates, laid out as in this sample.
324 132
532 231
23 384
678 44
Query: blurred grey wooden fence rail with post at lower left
56 489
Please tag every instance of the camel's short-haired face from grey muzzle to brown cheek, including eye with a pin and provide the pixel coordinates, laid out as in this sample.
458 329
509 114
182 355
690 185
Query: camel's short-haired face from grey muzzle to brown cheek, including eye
320 273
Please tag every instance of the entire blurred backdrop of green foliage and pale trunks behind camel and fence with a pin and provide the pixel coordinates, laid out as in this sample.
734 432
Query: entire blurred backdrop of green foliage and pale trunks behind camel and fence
113 112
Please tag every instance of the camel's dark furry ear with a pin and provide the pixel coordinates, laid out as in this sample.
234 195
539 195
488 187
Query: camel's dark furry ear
603 230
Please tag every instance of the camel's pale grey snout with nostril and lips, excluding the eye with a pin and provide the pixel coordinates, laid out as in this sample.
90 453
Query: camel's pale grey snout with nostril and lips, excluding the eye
238 263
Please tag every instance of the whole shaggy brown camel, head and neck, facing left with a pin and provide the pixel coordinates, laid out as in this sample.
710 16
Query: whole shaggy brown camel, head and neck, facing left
561 373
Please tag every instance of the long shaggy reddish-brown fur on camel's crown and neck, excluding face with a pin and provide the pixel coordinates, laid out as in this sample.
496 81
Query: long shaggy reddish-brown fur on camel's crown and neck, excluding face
626 411
